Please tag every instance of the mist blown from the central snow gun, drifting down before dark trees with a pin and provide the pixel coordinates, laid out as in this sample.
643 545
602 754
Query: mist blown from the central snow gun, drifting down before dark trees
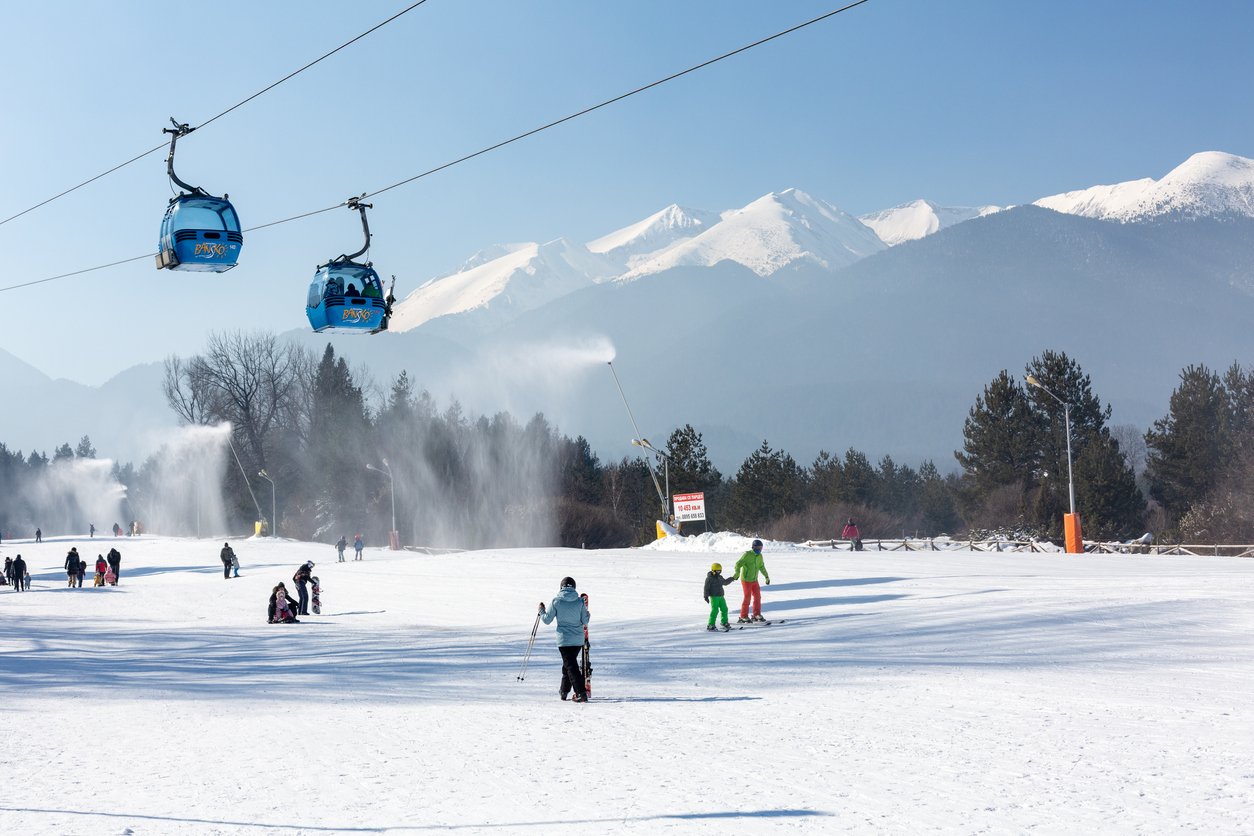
510 486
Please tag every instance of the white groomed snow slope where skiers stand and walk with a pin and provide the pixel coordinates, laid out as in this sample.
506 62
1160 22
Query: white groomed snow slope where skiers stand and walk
949 692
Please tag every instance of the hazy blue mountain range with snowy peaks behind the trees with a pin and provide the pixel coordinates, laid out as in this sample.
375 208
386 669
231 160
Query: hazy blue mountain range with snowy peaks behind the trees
789 320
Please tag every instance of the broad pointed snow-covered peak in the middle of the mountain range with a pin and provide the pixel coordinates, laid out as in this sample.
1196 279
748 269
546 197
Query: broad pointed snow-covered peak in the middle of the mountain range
774 231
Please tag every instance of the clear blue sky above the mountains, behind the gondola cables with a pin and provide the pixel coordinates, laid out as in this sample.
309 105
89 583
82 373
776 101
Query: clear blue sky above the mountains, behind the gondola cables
966 102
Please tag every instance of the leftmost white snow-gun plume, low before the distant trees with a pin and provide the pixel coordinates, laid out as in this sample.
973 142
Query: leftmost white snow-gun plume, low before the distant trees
72 494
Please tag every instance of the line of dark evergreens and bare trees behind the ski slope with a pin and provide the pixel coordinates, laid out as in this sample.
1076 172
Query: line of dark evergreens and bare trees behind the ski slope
340 464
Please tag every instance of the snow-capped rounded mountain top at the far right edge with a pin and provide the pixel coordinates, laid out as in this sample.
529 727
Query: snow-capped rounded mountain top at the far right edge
1209 184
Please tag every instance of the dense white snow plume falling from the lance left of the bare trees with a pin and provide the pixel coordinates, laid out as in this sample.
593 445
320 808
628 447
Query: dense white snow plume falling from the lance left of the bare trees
182 484
